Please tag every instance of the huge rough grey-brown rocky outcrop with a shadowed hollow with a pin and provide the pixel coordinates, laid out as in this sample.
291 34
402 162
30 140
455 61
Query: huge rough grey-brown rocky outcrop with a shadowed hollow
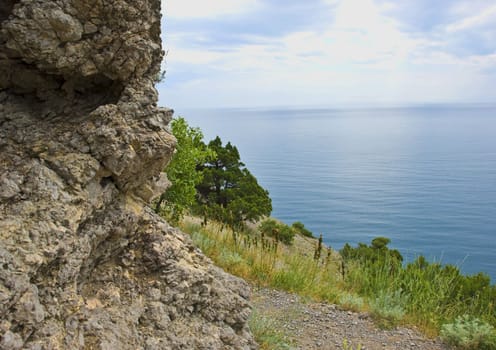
83 263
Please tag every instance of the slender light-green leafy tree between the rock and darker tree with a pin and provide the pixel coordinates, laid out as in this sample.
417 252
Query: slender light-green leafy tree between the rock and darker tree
182 172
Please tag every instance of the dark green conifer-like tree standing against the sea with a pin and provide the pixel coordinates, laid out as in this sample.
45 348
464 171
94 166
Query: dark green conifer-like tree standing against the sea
228 192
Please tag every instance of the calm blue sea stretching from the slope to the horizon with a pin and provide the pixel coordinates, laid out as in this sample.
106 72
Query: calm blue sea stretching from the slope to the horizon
424 177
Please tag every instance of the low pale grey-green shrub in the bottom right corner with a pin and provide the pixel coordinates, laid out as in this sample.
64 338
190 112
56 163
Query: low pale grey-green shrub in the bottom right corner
469 333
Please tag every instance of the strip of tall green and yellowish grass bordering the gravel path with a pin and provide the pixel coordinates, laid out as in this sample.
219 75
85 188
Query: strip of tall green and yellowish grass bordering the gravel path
425 295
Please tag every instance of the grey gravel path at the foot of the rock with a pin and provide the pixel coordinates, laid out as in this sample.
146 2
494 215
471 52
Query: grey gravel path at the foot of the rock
323 326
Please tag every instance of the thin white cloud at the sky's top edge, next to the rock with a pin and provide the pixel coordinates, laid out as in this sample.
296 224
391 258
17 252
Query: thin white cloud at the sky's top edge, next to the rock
207 8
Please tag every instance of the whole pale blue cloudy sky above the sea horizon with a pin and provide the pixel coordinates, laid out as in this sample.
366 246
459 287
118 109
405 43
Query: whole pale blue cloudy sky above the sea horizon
259 53
